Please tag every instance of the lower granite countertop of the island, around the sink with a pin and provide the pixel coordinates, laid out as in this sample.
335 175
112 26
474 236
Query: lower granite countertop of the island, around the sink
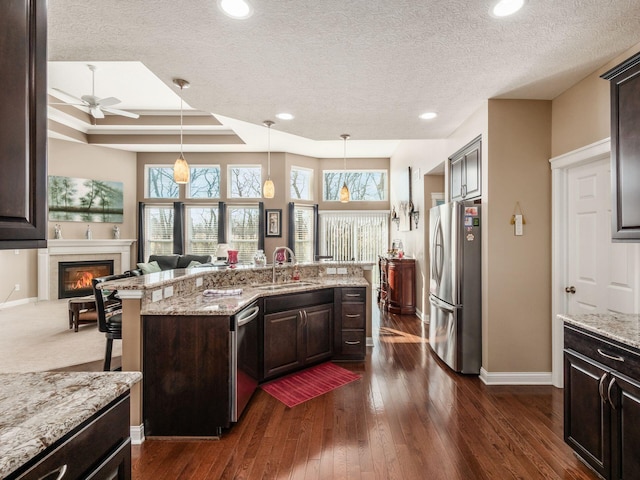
197 304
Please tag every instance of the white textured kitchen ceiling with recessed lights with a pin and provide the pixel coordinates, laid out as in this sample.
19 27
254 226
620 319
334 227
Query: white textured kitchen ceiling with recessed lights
366 67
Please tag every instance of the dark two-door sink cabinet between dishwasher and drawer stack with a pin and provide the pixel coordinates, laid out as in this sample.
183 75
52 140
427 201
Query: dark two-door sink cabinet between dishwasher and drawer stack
298 331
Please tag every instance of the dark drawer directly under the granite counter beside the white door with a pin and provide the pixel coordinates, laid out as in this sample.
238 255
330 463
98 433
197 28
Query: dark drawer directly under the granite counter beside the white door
613 355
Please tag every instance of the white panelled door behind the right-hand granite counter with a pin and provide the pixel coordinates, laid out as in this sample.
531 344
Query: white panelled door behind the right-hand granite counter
603 274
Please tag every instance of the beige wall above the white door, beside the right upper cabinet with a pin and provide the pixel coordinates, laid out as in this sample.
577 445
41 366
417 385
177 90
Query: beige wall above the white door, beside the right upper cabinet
581 114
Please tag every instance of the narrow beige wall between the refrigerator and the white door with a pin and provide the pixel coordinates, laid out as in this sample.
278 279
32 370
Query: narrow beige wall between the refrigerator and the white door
518 268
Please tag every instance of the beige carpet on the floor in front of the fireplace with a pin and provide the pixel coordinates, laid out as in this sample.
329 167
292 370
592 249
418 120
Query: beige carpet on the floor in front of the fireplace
36 337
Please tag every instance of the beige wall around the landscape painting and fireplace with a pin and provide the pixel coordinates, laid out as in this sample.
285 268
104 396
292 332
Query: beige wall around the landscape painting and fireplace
81 161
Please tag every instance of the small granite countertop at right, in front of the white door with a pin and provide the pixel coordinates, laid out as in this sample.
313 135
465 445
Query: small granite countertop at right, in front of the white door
623 328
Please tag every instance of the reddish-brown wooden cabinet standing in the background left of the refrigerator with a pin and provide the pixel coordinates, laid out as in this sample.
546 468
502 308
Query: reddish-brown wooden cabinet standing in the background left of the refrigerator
397 285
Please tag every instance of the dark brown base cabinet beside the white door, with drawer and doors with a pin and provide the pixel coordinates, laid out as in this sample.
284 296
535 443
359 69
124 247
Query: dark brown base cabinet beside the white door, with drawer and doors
602 403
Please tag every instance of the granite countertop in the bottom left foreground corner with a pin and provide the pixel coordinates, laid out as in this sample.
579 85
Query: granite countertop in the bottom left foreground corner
36 409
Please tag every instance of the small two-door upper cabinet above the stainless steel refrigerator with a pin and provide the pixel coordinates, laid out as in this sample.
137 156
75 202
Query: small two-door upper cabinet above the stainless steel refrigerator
465 172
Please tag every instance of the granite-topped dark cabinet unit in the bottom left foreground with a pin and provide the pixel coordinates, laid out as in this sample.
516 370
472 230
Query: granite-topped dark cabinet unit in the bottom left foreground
49 418
